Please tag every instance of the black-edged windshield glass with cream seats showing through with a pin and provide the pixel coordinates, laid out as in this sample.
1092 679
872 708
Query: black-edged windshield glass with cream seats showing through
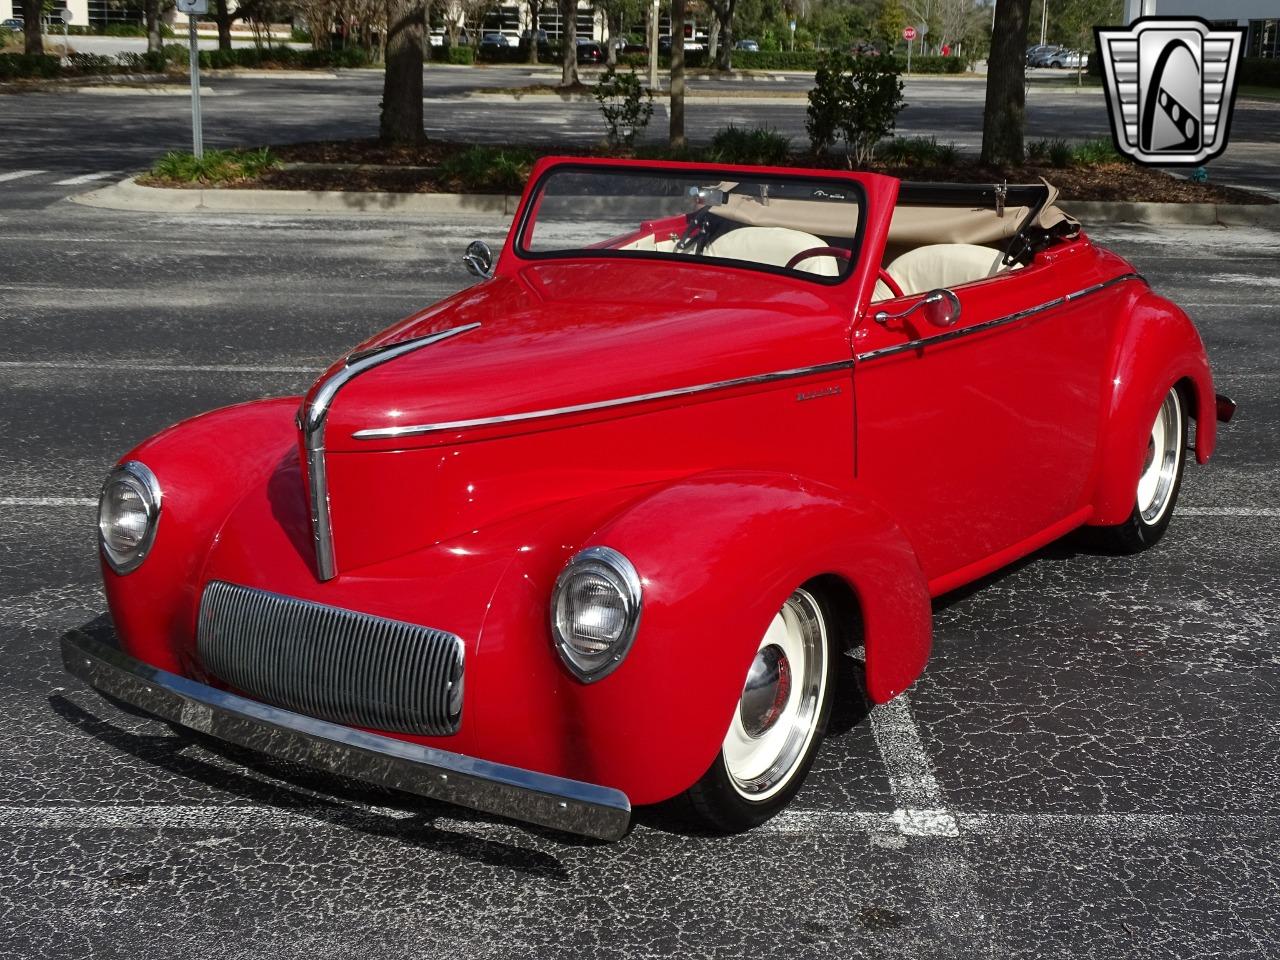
803 227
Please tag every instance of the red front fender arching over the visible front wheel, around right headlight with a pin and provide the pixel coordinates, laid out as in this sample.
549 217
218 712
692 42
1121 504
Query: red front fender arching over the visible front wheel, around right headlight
717 556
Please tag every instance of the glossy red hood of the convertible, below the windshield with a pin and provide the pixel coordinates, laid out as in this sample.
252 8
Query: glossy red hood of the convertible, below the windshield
566 335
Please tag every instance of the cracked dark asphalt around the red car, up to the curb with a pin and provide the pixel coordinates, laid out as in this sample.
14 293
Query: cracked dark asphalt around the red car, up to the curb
1087 769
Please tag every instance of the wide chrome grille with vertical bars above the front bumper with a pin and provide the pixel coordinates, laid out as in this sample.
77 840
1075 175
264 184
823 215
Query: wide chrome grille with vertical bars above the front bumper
332 664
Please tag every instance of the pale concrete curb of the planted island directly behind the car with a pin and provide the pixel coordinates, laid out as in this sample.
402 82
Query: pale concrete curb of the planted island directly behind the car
127 195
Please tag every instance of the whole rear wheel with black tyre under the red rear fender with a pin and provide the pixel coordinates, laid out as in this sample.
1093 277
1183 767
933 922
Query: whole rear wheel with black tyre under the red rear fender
1158 484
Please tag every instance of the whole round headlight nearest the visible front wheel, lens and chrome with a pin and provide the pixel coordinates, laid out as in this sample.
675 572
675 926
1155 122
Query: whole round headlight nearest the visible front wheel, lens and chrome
596 612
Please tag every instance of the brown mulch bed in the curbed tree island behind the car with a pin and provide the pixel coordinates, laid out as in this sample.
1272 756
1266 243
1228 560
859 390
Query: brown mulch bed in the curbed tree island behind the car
367 166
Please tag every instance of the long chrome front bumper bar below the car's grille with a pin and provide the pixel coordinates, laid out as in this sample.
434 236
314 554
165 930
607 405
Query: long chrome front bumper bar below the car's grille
561 804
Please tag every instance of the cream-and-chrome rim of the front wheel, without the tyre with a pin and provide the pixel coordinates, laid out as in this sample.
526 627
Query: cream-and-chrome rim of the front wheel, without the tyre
776 719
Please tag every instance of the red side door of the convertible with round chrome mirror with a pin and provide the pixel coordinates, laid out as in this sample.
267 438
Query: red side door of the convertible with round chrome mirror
981 437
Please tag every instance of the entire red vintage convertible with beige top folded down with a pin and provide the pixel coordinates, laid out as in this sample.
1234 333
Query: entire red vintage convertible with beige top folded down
596 531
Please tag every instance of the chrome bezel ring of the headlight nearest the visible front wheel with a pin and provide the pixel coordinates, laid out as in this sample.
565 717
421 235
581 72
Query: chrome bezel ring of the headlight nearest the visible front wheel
618 572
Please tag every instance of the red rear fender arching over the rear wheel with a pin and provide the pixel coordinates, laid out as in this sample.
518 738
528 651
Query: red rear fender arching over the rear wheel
1156 349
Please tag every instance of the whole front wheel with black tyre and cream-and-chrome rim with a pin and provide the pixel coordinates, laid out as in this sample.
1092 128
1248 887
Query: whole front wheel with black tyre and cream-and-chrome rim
778 724
